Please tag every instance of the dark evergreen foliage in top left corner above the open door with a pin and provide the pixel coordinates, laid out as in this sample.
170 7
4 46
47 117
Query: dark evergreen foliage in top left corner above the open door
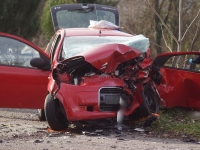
19 17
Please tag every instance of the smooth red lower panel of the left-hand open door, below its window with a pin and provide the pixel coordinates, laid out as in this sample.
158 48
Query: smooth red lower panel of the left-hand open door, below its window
22 87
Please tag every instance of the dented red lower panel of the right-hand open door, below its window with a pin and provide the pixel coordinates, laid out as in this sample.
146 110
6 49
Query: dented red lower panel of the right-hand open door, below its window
181 90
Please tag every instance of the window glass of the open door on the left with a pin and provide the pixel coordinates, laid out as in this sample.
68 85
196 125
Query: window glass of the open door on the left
16 53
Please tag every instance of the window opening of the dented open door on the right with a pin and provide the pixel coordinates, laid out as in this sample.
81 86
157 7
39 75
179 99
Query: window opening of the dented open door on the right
182 62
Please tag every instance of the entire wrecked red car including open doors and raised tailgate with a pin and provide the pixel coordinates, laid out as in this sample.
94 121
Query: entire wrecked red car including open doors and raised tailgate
86 73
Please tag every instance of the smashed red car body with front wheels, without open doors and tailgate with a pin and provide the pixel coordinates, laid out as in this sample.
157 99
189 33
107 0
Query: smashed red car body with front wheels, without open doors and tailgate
99 81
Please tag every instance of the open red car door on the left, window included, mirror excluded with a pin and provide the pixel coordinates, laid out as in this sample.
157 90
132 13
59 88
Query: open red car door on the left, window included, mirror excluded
22 86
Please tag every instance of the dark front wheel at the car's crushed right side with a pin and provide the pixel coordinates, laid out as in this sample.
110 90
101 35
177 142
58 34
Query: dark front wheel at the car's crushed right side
149 106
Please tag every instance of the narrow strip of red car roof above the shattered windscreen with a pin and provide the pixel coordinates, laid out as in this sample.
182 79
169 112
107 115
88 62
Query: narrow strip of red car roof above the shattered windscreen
93 32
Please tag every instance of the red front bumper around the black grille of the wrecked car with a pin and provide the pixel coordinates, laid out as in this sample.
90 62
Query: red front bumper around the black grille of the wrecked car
76 98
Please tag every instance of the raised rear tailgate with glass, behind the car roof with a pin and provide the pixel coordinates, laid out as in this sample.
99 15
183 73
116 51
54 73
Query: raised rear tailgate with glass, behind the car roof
79 15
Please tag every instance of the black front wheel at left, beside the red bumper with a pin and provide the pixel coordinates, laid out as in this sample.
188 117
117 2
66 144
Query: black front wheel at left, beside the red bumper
55 114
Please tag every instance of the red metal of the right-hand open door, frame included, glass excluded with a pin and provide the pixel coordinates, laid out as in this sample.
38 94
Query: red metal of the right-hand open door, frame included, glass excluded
178 87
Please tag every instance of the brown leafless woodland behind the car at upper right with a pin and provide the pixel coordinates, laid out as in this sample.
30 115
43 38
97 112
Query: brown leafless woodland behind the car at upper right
164 38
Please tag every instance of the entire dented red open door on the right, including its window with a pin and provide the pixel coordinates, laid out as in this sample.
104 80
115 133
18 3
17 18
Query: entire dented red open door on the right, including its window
177 80
